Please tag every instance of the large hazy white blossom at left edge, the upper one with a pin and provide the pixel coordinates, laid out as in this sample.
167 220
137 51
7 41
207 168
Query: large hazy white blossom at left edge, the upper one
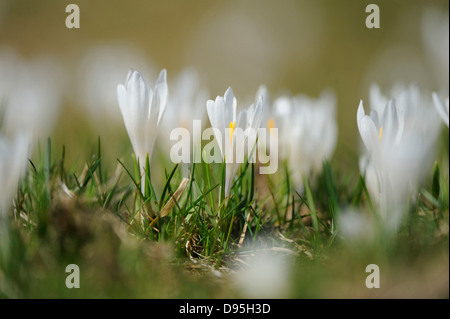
31 94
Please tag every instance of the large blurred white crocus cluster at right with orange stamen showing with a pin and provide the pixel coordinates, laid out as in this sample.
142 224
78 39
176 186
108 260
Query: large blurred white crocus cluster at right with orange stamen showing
399 136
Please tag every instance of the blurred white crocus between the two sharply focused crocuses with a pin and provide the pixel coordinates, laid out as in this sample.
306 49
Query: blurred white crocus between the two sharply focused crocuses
186 104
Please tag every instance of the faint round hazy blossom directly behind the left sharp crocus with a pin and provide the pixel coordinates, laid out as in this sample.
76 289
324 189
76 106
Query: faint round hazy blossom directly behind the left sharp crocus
98 72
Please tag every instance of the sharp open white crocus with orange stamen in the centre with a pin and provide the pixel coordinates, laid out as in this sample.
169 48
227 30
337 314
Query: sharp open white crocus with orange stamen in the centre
236 136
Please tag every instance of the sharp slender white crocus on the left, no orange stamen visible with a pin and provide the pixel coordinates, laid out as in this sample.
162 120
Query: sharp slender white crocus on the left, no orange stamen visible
142 109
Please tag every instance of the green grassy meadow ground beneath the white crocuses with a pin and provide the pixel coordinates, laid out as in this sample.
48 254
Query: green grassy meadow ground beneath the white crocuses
265 241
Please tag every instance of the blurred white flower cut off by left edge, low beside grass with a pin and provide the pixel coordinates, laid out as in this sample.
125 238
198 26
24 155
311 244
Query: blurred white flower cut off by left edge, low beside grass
13 159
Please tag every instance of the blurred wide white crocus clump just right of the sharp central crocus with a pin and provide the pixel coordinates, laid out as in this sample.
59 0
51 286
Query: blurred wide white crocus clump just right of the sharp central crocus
307 133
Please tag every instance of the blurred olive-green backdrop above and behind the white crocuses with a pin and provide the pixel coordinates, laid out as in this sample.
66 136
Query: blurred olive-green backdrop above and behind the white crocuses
296 46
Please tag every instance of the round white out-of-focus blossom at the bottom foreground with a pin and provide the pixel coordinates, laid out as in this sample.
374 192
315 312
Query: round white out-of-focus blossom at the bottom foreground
266 275
